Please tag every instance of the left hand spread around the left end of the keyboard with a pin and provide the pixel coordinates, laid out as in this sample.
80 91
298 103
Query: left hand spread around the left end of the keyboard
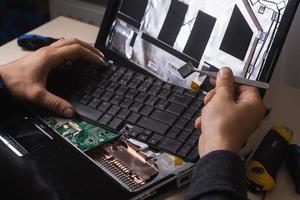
26 78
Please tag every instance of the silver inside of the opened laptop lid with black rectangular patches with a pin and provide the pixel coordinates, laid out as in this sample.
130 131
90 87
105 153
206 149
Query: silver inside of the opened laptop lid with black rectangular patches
161 36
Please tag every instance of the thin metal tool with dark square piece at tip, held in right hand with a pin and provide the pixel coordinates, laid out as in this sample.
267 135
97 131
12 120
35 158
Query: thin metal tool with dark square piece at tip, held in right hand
186 70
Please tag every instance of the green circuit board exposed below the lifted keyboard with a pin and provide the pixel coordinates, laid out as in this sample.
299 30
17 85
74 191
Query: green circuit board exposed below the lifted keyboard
82 134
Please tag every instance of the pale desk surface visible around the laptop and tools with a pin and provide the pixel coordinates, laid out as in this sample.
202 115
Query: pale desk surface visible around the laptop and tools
283 99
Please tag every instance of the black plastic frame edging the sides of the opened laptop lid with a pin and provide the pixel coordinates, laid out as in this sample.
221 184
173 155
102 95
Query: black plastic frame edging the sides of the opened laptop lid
264 75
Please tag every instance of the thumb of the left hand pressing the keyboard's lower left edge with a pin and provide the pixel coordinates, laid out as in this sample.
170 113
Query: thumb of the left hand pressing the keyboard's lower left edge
54 103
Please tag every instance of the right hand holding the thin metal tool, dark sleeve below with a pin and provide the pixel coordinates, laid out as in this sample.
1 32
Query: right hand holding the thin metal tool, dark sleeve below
230 115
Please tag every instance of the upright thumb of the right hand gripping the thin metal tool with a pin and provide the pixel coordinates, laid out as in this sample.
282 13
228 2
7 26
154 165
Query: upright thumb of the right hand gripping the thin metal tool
225 83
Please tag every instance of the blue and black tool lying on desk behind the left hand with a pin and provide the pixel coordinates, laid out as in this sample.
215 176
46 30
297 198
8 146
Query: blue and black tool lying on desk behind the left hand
33 42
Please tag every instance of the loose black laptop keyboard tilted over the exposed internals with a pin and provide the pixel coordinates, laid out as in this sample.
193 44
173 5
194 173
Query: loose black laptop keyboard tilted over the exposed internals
162 114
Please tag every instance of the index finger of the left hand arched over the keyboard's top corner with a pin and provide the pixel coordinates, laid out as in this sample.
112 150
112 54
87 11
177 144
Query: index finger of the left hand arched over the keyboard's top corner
72 52
